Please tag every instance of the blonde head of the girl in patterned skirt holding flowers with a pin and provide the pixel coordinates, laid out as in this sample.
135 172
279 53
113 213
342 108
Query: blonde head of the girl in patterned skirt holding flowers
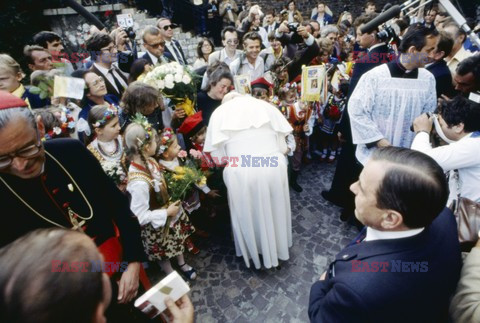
140 140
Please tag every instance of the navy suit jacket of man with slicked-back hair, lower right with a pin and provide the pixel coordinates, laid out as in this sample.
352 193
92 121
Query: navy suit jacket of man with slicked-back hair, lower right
421 296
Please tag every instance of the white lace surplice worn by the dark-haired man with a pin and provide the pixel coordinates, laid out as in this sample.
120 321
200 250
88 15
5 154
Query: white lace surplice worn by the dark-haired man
382 106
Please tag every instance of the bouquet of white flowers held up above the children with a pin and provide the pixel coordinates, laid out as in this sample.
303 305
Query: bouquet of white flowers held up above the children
176 82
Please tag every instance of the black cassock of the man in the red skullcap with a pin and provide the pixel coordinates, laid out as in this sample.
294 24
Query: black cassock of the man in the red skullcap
48 194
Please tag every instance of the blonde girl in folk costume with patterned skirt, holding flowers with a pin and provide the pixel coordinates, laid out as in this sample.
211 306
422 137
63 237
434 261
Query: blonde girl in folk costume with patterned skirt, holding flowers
164 227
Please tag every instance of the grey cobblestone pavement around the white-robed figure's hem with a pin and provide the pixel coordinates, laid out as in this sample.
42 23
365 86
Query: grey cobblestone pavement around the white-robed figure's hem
227 291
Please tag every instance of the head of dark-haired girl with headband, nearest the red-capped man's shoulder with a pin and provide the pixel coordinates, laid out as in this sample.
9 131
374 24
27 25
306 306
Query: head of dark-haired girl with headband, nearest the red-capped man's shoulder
103 120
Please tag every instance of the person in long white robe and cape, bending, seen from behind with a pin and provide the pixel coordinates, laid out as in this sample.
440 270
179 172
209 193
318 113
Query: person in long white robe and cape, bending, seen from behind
250 134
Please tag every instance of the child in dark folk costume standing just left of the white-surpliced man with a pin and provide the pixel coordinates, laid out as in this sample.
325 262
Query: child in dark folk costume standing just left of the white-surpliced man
329 117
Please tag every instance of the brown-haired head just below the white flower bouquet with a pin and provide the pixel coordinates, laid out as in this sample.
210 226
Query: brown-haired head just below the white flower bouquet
141 98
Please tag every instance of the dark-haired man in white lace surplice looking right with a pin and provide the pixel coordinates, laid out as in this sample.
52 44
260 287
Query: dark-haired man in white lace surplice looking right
389 97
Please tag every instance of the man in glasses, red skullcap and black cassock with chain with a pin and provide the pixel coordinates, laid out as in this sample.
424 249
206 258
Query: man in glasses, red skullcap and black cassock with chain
60 183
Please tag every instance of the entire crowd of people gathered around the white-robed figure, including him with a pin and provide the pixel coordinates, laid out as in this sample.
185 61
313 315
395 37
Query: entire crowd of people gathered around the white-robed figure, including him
397 110
